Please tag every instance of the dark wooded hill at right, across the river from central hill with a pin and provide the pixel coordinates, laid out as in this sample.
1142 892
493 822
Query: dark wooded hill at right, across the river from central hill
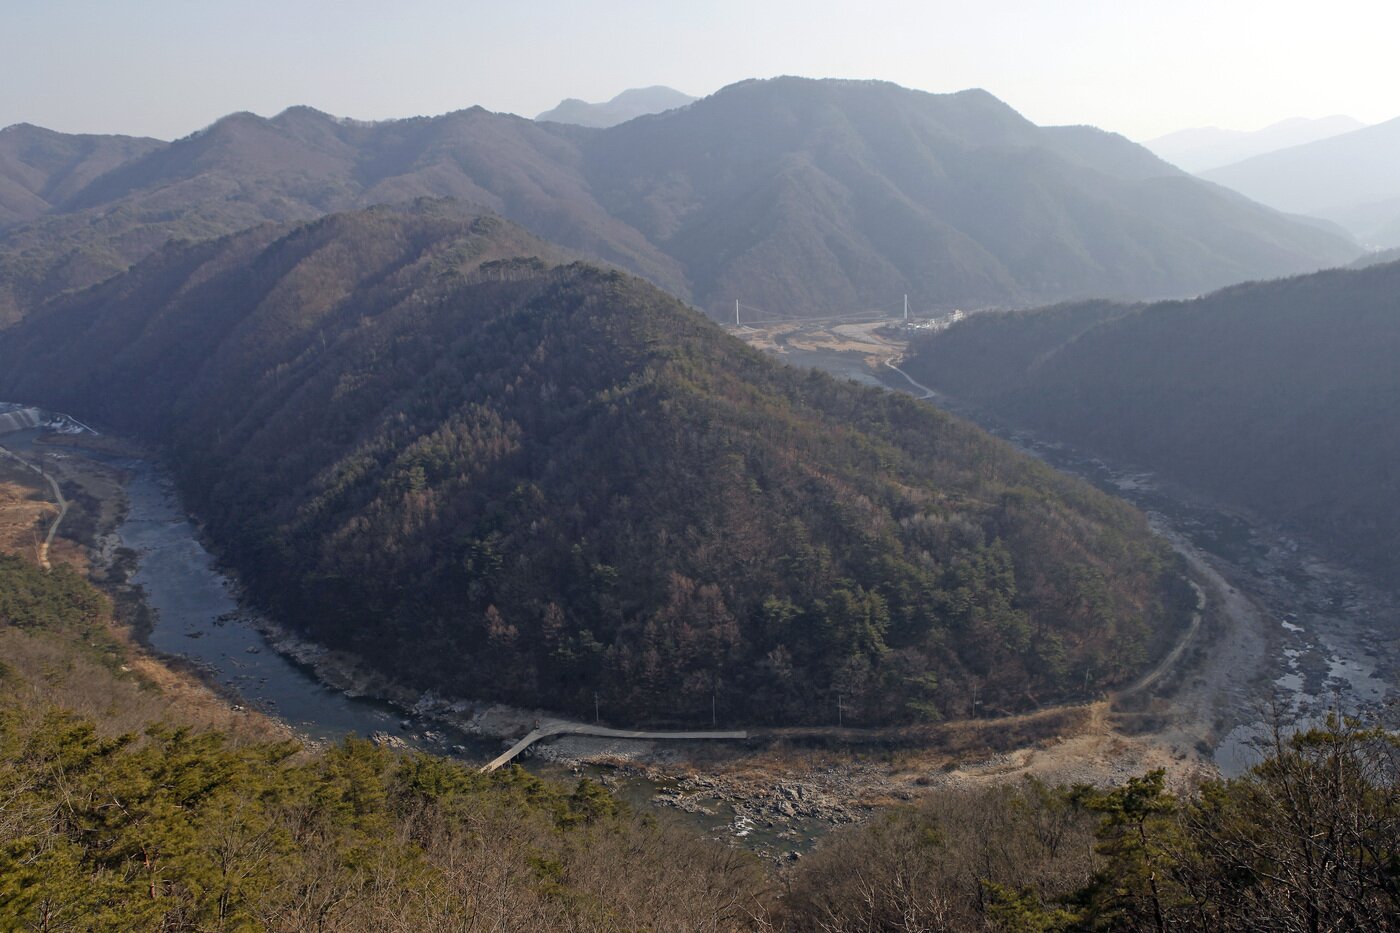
1279 397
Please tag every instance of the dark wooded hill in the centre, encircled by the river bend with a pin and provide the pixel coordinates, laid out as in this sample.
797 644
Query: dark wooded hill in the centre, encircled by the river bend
538 483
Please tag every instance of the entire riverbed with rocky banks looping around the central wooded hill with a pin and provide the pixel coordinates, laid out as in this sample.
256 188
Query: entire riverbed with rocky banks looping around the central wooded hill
786 788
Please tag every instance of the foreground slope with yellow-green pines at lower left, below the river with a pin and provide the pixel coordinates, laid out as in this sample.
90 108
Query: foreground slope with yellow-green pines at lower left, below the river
131 808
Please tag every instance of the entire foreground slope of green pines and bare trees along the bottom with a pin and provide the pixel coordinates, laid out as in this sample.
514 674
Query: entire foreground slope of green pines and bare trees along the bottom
128 810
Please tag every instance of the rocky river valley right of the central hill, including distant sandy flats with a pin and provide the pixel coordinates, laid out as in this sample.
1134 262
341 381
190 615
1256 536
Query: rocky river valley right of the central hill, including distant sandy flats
1294 635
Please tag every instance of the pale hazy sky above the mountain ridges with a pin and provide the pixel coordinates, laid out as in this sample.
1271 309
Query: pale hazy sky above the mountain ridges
166 68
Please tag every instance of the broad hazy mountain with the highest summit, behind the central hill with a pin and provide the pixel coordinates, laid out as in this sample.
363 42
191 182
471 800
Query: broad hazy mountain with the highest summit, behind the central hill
804 197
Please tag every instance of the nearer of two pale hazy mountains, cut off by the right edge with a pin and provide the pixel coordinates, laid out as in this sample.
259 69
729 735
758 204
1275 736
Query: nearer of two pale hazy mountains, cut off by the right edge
1352 180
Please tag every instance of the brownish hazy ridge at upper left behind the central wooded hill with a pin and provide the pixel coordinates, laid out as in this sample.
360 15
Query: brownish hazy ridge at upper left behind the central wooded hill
246 170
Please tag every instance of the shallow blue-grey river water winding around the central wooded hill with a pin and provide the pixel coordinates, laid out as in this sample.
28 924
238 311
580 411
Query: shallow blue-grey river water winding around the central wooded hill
1333 638
